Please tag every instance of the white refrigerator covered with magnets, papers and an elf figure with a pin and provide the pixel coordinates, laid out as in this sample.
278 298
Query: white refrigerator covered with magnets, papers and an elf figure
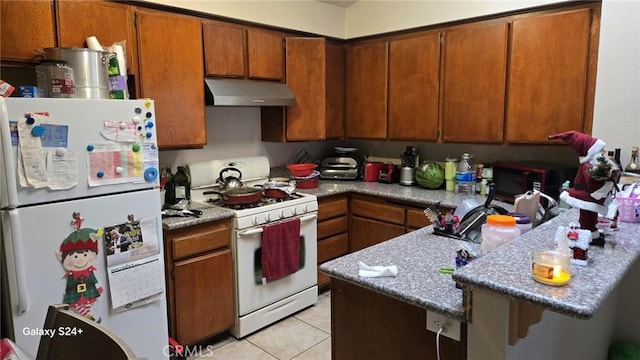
81 219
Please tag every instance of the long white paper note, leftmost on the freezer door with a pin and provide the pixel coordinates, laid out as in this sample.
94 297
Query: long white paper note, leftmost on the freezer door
31 164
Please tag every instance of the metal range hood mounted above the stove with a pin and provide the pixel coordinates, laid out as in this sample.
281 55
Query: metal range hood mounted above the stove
233 92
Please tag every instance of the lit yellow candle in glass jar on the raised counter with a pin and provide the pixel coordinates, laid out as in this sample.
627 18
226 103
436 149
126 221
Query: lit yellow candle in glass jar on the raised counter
551 267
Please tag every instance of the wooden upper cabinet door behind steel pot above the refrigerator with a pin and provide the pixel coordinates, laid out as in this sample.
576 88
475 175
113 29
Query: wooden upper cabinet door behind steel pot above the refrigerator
109 22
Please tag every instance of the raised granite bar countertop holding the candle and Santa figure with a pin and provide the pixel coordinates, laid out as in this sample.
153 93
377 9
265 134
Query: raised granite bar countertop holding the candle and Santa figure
507 270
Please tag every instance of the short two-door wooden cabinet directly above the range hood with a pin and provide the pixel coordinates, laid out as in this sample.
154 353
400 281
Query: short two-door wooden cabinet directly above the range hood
236 52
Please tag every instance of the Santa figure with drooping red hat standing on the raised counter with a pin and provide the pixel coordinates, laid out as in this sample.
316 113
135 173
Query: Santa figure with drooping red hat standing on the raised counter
595 182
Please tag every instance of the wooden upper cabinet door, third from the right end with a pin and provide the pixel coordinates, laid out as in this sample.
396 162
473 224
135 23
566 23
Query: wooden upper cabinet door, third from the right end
413 88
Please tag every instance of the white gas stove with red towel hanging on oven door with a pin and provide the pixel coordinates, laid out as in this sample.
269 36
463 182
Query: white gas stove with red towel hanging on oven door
260 302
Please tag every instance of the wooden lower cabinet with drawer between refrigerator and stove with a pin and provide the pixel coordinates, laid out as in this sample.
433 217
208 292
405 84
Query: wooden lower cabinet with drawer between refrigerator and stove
200 293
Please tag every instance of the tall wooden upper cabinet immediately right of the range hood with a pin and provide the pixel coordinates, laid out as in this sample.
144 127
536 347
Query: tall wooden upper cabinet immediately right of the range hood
315 75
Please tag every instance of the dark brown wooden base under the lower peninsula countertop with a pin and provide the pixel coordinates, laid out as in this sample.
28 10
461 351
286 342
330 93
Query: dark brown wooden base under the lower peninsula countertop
369 325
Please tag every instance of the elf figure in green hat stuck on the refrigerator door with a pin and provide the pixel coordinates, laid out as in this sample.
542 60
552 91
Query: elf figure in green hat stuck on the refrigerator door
77 254
